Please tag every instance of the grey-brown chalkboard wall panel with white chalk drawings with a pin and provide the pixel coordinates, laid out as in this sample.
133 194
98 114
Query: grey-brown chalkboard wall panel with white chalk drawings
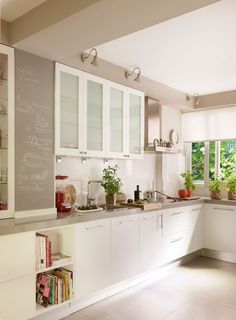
34 132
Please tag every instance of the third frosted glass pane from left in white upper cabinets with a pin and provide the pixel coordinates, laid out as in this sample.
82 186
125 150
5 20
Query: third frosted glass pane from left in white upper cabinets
116 120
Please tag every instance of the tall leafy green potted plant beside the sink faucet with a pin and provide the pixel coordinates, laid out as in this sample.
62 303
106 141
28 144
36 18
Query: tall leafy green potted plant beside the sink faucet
111 183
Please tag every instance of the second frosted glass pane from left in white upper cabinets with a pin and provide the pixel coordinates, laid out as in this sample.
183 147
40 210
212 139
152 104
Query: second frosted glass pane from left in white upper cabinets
95 116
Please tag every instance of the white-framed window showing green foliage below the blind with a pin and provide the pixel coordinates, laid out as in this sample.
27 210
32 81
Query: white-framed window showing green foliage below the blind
211 159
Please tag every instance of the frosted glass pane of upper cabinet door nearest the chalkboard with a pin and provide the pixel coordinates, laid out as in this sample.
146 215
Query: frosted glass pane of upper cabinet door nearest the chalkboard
69 111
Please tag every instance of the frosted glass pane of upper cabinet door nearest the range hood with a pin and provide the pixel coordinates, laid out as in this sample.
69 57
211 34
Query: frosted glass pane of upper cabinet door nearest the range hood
135 124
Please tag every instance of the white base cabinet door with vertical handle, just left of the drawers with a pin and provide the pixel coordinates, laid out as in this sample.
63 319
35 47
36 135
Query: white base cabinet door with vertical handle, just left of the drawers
150 255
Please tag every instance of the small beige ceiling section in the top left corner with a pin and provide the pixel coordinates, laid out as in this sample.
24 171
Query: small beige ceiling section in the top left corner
13 9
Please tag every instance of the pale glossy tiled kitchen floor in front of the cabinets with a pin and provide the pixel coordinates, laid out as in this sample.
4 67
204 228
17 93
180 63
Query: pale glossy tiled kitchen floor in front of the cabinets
204 289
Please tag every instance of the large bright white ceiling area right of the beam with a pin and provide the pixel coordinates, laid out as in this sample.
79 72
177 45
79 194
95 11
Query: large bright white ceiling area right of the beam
194 53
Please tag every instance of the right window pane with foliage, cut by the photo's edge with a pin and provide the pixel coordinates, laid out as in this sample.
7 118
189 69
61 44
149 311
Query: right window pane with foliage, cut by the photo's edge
227 158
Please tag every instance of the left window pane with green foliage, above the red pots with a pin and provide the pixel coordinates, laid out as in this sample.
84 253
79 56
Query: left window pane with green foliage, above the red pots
198 153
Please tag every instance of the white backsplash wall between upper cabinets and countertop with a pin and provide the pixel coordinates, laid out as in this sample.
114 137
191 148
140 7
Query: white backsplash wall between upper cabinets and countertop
151 170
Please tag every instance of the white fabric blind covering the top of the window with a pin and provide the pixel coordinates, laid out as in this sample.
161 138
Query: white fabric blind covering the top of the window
211 124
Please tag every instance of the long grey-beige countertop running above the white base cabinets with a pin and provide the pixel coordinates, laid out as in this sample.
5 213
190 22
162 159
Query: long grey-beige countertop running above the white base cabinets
10 226
